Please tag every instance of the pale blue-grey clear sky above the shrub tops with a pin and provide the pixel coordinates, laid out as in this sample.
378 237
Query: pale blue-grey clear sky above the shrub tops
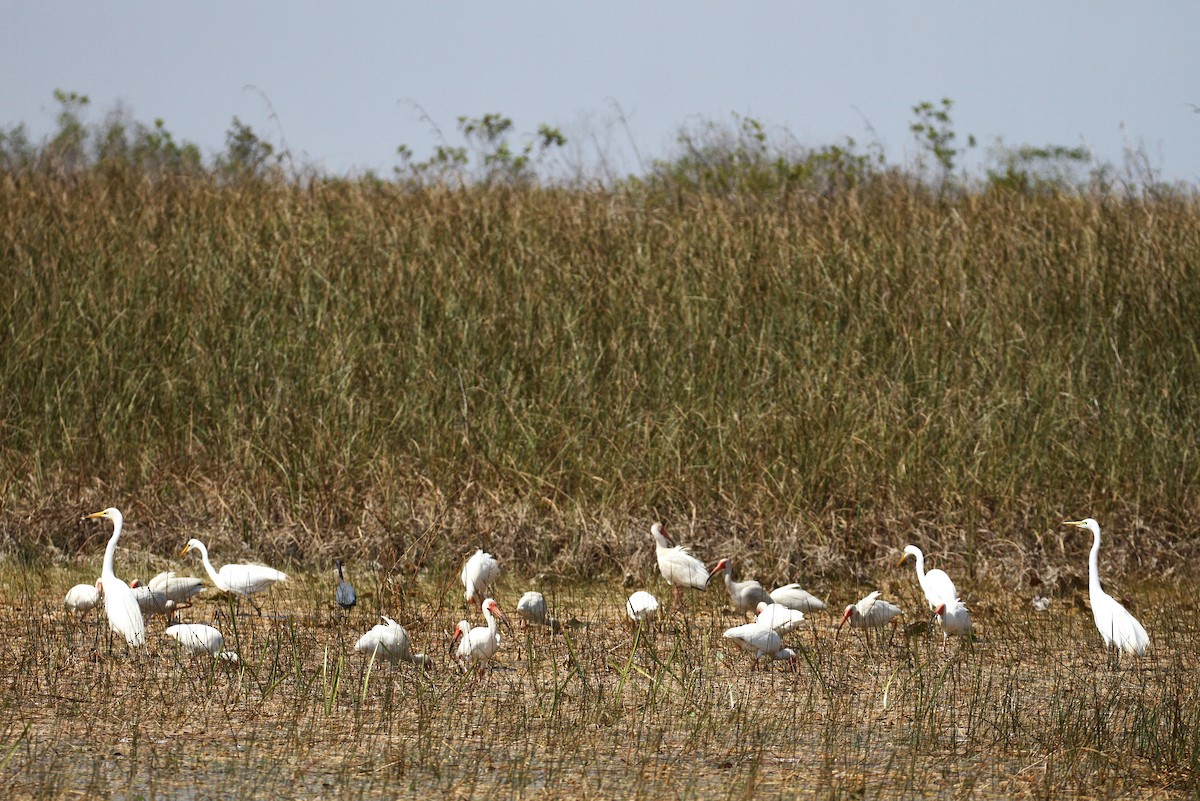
343 86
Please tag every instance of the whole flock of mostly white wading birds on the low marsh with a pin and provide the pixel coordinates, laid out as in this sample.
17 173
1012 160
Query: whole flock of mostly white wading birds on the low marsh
777 613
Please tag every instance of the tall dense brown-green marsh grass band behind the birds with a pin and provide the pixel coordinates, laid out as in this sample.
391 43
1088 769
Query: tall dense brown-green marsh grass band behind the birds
377 368
